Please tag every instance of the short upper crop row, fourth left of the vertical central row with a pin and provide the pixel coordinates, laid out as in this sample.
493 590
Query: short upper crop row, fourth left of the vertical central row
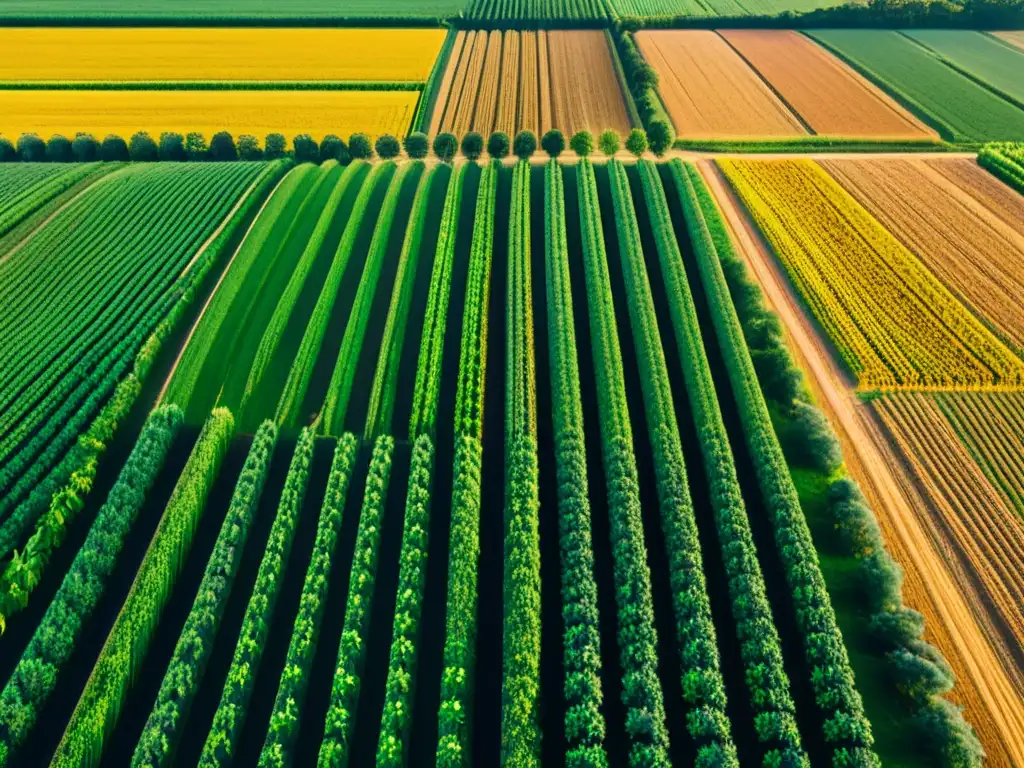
344 377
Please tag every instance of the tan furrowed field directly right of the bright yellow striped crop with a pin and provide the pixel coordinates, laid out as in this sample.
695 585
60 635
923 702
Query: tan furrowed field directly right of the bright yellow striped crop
971 250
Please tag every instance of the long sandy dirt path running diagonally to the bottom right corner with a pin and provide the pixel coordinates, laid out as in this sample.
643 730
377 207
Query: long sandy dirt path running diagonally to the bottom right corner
994 702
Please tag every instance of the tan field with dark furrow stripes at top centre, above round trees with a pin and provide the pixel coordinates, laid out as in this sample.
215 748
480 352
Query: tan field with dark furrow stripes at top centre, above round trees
515 80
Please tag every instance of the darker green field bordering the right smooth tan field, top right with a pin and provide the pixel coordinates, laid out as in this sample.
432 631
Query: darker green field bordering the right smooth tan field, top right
961 109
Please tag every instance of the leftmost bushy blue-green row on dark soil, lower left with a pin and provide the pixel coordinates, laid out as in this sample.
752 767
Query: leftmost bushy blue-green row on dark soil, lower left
52 646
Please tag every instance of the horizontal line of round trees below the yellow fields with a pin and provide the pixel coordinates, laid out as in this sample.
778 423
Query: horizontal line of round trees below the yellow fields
224 147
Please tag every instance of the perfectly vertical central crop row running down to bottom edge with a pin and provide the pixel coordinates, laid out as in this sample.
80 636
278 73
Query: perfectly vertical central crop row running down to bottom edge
522 638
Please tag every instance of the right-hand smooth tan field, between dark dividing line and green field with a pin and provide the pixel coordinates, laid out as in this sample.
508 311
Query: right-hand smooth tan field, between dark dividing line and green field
830 97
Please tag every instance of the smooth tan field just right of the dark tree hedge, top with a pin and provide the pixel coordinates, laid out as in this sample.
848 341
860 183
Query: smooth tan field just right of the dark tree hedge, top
710 92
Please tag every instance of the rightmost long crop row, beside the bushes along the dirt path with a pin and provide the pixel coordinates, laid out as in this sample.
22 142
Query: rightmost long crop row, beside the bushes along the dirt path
845 728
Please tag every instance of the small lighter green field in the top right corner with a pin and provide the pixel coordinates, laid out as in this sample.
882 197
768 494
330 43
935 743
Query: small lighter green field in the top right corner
980 56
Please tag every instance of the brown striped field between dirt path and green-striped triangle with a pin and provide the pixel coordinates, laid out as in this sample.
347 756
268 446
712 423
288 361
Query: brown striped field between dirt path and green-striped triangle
982 532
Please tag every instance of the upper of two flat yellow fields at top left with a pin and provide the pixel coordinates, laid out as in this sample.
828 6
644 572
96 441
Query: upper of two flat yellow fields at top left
147 55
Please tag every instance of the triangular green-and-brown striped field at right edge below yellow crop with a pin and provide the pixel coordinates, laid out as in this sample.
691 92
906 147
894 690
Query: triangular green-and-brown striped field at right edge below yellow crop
992 428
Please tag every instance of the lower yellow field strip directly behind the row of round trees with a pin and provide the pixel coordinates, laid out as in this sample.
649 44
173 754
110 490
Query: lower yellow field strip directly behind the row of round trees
257 113
